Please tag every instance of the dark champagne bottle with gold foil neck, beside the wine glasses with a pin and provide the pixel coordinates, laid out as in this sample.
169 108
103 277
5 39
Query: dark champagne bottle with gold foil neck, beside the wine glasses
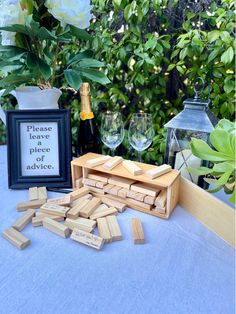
87 139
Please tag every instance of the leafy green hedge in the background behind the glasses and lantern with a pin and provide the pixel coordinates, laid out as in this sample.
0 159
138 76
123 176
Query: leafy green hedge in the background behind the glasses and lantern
153 51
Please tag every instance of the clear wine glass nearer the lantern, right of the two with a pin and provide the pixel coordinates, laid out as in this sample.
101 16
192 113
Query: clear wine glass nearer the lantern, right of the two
141 132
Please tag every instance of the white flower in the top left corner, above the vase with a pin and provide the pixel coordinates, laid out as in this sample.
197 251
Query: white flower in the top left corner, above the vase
10 14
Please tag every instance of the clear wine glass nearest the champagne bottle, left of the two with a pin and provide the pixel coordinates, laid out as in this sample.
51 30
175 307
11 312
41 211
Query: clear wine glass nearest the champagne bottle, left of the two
112 130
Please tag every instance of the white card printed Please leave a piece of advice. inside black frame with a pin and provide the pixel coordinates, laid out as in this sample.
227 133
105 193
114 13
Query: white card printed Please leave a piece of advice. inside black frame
39 148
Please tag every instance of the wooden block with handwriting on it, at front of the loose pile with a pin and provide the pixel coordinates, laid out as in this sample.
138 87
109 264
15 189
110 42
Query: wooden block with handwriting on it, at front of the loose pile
87 239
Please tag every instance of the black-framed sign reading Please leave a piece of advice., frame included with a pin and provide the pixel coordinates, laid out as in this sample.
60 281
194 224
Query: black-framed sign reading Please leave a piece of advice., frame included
38 148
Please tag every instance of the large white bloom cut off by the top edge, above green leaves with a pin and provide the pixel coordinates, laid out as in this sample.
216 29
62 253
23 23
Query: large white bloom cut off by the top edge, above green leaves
73 12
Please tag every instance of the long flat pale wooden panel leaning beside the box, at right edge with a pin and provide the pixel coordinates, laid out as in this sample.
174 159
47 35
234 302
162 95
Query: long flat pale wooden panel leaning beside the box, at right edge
216 215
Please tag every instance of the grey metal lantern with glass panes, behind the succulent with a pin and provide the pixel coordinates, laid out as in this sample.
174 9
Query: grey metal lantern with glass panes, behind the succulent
196 120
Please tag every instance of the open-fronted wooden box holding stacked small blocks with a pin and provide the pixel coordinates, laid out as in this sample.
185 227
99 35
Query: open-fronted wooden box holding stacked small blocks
168 182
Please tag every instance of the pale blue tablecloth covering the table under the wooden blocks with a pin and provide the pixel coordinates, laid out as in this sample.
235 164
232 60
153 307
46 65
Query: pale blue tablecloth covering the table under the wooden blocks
182 268
